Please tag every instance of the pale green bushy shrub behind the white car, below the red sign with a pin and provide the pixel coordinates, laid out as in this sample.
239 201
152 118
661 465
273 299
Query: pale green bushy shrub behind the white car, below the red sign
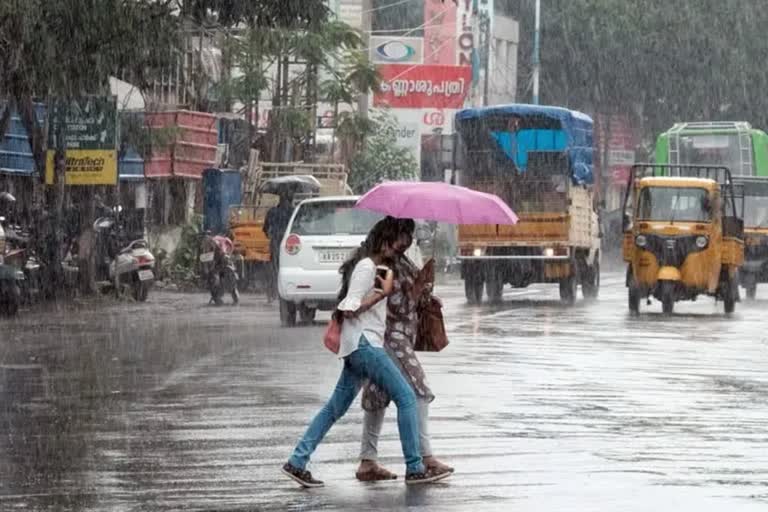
381 158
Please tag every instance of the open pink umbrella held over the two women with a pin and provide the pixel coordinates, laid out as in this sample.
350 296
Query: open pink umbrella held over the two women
437 201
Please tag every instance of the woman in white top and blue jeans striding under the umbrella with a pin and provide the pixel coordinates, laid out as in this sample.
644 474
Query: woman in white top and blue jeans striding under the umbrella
363 313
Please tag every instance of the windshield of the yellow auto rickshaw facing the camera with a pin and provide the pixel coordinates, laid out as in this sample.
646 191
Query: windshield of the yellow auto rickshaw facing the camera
685 204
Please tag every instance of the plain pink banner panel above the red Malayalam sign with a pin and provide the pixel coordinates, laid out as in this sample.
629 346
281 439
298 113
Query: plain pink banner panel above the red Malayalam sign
439 32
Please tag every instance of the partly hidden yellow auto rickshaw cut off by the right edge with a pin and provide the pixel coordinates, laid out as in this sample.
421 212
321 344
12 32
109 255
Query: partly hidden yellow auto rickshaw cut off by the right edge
755 268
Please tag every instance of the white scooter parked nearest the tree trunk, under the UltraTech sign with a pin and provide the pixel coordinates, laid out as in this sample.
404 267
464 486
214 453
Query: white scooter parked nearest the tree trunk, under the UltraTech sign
126 263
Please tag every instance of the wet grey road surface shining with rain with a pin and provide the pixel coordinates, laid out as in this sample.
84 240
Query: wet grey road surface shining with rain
177 405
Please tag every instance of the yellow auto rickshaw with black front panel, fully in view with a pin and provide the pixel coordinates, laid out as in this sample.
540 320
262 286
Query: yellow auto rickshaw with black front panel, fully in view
683 235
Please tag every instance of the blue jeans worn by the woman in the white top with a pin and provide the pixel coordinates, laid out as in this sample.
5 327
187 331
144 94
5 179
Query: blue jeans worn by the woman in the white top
371 363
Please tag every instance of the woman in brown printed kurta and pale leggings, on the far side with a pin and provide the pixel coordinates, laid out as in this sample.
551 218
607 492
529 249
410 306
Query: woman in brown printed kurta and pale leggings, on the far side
399 339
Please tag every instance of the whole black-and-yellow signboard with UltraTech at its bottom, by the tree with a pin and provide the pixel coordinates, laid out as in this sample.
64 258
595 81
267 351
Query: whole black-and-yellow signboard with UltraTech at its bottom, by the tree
89 128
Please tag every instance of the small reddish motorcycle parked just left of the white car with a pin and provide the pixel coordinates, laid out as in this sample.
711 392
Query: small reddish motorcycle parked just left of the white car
217 266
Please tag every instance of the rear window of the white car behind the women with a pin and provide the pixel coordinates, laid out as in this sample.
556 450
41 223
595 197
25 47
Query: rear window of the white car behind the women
333 218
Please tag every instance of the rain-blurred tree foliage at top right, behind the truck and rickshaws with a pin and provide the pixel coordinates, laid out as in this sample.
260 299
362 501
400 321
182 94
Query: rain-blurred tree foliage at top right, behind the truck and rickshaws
662 61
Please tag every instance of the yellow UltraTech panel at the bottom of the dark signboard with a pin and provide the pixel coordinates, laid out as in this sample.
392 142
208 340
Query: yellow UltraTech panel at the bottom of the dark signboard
86 167
